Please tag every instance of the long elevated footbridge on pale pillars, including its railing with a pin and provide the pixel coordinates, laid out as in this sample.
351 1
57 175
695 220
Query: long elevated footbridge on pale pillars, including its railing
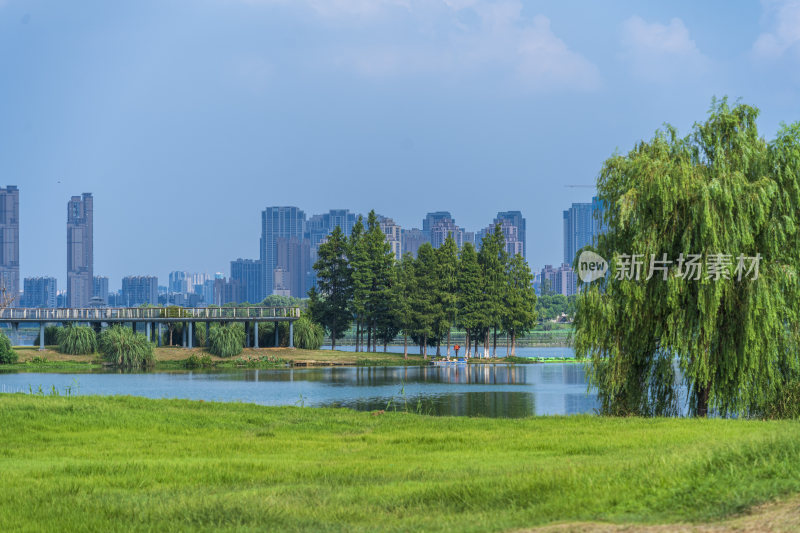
154 318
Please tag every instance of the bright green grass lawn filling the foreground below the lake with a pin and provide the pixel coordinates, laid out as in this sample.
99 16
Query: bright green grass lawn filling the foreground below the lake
123 463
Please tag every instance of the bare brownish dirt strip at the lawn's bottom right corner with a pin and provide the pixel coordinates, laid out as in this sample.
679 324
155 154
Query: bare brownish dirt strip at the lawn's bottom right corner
776 517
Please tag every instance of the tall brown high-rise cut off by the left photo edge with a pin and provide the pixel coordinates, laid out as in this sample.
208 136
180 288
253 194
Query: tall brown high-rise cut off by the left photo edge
9 245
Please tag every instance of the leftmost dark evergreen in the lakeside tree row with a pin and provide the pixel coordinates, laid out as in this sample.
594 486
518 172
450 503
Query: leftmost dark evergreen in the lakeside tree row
330 305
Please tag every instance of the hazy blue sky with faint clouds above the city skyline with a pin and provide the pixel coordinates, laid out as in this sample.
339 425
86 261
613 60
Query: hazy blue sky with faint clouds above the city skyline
185 119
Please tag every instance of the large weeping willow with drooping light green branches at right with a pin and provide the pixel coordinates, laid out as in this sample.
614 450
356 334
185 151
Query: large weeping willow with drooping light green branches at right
722 193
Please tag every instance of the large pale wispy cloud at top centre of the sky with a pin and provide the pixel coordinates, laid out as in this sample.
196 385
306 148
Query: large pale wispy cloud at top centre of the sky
498 39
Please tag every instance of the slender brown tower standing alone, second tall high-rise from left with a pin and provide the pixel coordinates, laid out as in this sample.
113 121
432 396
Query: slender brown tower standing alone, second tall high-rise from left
80 253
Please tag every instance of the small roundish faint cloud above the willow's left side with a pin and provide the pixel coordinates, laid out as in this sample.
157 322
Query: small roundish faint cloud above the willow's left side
660 52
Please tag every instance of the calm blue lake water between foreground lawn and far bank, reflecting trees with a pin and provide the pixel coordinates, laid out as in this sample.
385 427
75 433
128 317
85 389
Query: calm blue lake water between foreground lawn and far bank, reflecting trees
488 390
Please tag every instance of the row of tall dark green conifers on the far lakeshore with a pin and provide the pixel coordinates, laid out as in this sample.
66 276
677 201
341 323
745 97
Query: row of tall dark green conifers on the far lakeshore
485 292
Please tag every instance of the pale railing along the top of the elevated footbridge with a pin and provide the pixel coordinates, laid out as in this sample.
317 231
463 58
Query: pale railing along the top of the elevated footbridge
145 313
